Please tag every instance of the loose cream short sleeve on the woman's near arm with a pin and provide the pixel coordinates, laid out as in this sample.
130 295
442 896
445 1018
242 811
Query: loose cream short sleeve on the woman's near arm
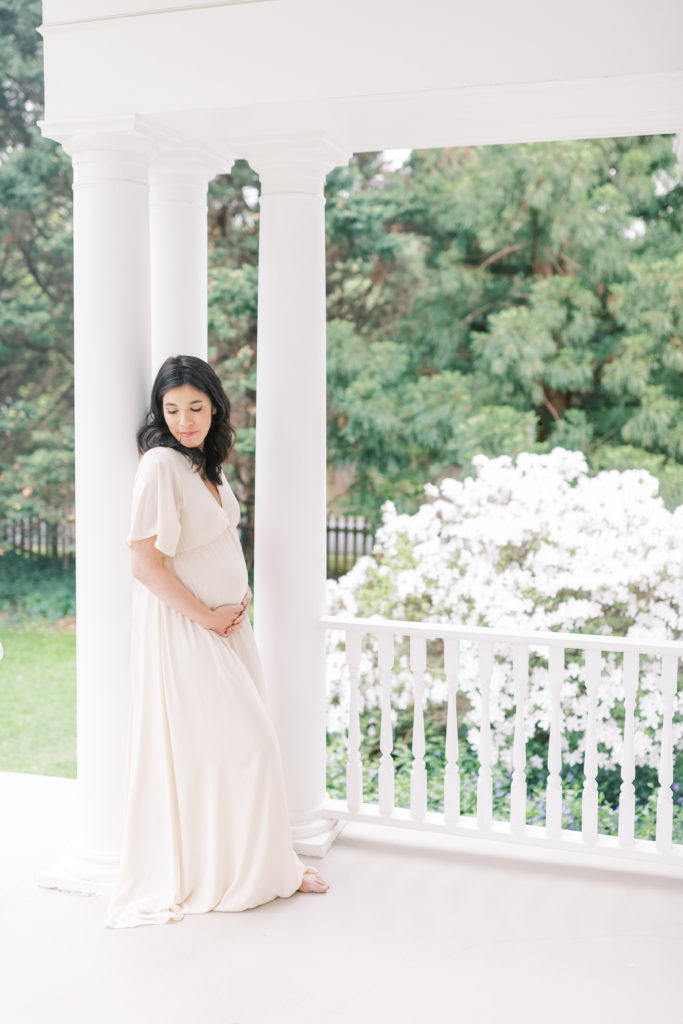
157 501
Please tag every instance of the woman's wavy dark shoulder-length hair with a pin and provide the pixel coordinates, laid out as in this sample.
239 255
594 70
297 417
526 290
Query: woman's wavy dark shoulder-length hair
176 372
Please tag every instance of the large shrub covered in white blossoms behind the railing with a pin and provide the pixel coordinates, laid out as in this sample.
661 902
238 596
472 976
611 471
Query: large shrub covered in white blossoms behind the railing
531 544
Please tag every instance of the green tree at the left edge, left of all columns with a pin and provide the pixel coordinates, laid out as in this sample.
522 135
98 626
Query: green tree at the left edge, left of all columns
36 319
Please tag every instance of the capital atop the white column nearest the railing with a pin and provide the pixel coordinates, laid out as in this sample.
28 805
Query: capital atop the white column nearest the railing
293 163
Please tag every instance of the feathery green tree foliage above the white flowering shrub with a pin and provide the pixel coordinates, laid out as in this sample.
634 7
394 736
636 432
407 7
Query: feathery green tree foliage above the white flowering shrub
514 333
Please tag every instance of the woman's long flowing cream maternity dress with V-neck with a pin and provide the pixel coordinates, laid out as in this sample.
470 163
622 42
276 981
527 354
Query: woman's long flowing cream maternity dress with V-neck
206 825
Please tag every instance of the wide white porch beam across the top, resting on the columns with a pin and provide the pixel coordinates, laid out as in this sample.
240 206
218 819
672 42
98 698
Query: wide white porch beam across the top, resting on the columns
370 74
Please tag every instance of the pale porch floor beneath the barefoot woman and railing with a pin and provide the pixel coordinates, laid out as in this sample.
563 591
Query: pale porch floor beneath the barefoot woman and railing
414 929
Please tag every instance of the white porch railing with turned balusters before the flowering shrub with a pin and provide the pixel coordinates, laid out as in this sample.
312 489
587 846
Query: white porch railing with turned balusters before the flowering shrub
483 825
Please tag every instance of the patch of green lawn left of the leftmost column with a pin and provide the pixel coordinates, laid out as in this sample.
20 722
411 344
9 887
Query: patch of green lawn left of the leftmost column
38 703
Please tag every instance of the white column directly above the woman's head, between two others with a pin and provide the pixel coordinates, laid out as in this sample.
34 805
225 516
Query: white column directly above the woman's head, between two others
180 266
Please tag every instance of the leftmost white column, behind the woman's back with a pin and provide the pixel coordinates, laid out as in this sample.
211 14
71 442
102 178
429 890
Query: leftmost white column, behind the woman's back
112 371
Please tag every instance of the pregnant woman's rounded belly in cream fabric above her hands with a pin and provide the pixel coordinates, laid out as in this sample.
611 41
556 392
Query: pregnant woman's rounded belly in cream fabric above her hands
217 574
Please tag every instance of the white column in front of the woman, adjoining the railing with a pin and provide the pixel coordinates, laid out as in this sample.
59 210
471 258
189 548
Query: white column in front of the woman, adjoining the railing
290 515
